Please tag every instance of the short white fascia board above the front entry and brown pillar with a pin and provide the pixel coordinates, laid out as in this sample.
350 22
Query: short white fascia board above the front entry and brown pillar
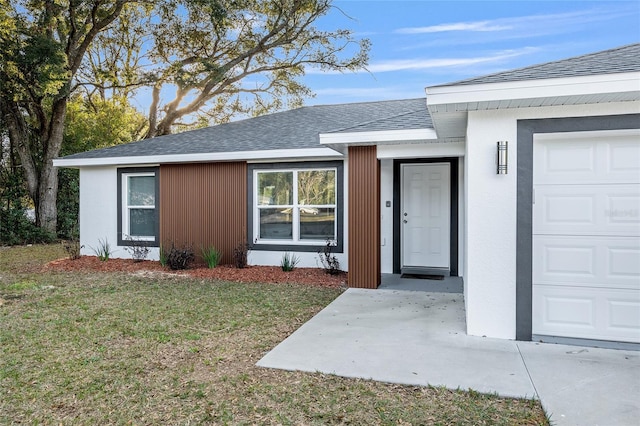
379 137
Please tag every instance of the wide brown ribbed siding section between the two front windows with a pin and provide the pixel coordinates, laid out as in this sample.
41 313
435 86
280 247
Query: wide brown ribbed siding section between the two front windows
203 205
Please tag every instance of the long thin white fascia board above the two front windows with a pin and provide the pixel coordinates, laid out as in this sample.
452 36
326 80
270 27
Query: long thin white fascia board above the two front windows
198 158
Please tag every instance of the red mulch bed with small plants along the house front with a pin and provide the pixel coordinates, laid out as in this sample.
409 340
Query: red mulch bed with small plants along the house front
261 274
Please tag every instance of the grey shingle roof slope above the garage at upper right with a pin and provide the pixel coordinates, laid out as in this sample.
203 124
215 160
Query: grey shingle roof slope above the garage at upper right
619 60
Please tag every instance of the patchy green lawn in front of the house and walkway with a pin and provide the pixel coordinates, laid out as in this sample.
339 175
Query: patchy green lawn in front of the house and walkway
95 348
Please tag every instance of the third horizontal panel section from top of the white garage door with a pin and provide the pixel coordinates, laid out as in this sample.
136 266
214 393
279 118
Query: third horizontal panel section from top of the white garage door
606 262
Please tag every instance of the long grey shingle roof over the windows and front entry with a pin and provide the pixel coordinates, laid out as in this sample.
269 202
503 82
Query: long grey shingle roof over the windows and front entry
295 129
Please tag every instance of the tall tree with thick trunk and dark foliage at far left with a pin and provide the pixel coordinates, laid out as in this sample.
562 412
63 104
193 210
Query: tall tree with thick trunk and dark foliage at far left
42 45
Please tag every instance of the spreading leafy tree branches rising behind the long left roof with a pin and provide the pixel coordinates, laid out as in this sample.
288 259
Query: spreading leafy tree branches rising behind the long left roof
207 60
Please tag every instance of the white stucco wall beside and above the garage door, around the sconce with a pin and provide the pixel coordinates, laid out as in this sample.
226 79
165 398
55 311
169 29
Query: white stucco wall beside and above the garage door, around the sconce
490 218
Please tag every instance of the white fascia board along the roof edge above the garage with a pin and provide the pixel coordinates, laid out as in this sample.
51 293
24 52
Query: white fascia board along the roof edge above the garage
531 89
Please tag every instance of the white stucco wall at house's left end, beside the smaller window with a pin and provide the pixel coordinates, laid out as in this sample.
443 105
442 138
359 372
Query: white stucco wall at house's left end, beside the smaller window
99 212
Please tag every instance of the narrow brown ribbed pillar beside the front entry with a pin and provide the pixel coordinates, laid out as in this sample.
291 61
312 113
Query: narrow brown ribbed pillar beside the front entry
364 217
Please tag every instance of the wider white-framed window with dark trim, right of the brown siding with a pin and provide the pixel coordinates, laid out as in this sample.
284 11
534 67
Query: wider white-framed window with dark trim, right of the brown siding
296 205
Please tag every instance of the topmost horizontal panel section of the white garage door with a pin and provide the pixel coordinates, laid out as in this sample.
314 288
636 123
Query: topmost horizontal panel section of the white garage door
582 158
